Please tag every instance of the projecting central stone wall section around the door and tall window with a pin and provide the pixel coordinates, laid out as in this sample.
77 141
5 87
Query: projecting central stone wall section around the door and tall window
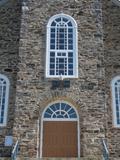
34 91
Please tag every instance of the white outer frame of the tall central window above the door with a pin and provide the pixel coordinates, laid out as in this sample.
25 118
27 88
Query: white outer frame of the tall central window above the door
75 48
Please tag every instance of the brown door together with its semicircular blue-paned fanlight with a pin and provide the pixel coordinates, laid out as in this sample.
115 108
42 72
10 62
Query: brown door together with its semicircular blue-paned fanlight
60 131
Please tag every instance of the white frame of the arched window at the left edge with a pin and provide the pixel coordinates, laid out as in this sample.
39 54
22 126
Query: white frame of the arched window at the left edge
6 100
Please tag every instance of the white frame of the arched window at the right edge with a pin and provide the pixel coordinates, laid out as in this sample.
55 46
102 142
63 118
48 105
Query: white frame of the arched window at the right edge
114 80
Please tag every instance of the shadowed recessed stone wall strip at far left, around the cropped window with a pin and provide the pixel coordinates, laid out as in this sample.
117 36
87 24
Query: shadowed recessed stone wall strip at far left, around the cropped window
9 45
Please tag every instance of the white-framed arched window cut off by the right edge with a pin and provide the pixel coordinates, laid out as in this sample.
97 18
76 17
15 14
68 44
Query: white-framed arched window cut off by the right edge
116 100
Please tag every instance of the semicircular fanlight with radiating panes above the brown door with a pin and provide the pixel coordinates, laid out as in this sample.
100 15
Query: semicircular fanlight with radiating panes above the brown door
60 110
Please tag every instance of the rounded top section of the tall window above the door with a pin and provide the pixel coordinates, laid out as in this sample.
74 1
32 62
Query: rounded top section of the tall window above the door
62 20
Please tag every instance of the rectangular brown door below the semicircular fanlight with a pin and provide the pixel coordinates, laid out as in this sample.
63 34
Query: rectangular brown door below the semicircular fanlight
60 139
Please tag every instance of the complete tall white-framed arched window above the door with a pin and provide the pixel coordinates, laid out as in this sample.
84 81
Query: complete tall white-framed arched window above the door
61 49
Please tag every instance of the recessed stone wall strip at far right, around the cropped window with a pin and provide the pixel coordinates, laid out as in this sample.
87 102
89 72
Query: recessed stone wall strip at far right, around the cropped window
111 19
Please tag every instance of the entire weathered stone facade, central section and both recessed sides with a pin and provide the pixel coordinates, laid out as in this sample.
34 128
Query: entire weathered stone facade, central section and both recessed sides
30 92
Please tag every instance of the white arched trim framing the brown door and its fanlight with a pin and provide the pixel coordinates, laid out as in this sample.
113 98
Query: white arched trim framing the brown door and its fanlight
77 119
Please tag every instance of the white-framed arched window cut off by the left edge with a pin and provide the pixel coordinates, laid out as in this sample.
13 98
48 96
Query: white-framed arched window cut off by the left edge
4 92
